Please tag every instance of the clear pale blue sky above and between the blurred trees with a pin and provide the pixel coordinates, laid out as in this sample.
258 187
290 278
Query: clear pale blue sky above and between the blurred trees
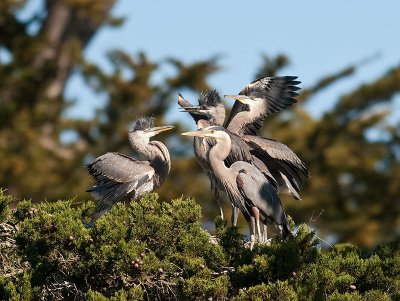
320 37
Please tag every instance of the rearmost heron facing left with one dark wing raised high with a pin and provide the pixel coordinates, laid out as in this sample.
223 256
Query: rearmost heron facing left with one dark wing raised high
255 102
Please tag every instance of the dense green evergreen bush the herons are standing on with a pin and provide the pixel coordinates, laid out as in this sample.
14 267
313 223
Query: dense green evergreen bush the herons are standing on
157 250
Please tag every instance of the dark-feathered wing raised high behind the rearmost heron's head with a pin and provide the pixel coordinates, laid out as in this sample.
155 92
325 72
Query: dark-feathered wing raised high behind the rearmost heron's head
279 93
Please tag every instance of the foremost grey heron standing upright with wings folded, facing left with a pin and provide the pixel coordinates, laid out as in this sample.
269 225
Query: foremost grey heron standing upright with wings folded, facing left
247 188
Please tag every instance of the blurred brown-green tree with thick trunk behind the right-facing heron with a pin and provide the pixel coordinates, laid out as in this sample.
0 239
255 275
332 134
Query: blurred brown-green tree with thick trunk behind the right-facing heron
35 163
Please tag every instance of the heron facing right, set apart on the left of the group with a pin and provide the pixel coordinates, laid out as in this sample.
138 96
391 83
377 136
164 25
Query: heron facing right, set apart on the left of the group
122 178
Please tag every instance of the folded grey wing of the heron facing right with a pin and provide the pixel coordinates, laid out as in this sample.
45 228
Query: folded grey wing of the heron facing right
119 168
